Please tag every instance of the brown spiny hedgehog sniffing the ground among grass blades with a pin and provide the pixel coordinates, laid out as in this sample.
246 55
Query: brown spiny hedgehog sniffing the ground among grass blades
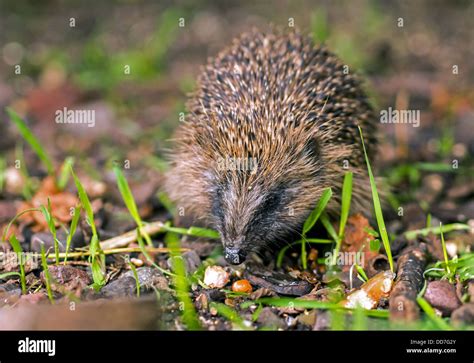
272 123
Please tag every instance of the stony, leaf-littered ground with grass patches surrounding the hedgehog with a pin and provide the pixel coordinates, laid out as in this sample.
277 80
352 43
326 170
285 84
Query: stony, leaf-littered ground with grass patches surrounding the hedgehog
134 63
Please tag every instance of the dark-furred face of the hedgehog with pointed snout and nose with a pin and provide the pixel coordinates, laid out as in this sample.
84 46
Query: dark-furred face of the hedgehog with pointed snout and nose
251 218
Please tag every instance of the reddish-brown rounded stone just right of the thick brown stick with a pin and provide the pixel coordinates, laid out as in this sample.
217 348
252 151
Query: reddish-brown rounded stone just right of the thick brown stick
442 296
